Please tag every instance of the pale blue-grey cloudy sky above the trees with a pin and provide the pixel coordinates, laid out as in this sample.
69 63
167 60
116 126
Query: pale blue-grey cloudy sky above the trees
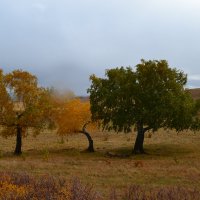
63 42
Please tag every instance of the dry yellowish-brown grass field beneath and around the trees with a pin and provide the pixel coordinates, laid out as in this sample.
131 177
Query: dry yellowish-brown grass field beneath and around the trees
172 160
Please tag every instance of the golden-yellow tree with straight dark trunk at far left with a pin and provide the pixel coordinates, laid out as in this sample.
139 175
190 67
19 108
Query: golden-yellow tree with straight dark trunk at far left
26 106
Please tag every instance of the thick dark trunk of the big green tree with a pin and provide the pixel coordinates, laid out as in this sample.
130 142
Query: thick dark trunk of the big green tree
138 147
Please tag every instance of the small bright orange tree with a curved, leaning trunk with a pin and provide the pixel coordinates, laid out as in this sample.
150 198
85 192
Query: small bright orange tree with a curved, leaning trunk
73 117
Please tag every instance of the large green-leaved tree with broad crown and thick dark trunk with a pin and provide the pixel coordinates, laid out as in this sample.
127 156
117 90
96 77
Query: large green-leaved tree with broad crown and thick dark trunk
150 97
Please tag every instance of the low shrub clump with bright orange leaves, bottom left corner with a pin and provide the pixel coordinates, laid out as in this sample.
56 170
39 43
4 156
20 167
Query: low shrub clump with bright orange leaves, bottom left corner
23 187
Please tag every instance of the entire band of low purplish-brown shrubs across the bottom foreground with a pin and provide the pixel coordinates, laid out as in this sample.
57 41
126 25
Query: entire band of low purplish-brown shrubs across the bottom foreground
15 186
